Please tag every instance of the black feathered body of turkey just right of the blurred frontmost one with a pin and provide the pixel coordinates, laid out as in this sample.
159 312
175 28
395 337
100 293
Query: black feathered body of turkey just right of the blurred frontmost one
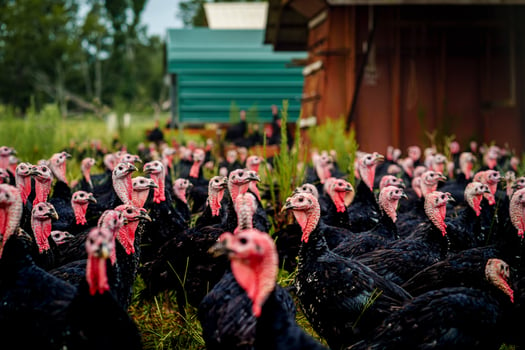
333 292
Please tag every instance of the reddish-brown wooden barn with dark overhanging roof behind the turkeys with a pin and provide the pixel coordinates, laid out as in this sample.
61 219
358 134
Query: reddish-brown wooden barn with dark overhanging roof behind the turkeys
397 69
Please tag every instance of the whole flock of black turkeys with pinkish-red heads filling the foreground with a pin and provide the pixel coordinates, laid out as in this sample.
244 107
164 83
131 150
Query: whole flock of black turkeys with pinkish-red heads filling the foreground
424 253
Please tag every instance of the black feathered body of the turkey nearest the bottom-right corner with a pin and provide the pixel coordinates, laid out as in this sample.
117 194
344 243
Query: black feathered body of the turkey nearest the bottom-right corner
448 318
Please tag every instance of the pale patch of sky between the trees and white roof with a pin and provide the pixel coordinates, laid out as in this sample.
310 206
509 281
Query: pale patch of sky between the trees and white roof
160 15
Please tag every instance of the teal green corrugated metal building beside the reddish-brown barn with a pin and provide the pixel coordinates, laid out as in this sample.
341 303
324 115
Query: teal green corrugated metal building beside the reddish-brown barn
217 68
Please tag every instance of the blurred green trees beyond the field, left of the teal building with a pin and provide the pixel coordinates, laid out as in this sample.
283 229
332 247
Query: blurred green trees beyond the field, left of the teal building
81 54
